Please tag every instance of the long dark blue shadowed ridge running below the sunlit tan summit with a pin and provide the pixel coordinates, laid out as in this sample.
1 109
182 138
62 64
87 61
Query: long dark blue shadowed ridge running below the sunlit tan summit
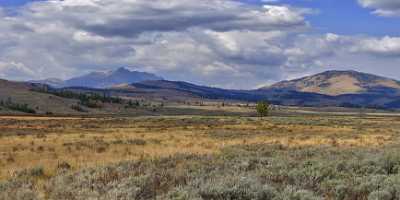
380 96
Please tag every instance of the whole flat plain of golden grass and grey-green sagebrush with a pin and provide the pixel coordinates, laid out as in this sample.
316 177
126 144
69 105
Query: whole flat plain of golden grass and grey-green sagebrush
296 157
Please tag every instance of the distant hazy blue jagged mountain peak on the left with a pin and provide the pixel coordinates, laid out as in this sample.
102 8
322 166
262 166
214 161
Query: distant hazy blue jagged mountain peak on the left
102 79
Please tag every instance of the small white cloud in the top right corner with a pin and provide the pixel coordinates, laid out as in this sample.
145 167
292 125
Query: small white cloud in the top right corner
386 8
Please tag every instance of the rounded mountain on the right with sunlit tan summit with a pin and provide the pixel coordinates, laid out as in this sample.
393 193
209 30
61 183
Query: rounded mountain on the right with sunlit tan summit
336 83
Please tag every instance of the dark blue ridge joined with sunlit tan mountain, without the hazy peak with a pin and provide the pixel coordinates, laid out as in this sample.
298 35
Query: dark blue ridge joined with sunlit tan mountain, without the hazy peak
330 88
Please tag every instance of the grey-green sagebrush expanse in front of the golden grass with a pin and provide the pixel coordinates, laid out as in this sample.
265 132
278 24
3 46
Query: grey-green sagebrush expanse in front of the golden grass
245 172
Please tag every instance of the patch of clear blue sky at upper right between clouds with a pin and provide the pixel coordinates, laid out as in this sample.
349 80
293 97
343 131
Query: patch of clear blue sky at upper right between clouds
344 17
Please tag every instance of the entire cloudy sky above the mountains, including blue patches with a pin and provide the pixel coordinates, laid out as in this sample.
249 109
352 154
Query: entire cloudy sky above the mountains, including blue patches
240 44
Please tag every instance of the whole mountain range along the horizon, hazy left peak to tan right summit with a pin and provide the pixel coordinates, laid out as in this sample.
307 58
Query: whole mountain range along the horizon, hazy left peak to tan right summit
330 88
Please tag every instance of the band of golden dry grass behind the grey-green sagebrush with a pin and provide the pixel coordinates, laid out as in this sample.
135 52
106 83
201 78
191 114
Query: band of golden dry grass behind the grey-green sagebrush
28 142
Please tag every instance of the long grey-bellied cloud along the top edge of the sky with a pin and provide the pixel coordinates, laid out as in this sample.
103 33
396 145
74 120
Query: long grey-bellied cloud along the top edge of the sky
129 18
